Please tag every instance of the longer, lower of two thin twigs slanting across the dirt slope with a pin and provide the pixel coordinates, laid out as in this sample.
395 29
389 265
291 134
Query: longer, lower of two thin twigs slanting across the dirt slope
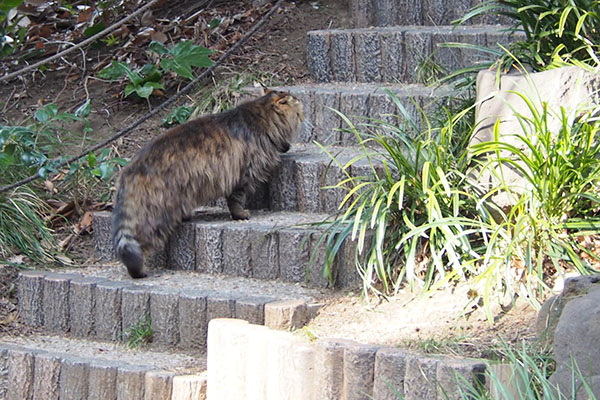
161 107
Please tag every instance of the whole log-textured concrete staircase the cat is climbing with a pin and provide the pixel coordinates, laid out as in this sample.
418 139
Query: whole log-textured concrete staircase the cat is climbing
257 270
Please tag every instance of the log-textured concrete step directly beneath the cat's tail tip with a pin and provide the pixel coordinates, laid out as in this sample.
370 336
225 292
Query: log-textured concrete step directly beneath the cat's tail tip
104 303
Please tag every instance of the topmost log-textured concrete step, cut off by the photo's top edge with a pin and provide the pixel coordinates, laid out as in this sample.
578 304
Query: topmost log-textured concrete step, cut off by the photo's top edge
416 12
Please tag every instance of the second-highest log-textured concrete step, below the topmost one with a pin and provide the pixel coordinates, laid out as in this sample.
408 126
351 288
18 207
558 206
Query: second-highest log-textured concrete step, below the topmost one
396 54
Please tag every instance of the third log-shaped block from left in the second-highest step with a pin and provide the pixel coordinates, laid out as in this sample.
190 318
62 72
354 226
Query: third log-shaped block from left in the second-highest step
368 56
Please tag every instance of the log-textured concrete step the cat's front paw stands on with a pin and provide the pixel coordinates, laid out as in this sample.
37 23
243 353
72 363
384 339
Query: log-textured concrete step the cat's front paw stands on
272 246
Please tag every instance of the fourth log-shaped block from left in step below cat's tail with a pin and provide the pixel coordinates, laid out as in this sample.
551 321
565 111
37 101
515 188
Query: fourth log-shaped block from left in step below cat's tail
107 310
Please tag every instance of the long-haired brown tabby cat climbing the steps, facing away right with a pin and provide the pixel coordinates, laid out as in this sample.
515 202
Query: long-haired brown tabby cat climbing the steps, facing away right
220 155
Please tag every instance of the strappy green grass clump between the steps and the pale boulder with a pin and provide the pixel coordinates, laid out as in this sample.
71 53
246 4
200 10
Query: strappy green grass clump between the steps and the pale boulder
413 214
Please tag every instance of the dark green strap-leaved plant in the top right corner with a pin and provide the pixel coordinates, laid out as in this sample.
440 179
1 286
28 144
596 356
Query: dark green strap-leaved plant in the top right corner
556 32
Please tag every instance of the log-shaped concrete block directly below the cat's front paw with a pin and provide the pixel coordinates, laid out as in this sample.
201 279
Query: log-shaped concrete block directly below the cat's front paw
236 250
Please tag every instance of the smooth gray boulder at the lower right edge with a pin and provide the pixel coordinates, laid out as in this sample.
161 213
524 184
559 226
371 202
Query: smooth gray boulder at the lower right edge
571 322
